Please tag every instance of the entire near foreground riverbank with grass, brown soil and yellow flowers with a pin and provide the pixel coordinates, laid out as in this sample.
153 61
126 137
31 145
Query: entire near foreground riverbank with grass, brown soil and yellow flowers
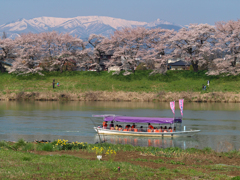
49 161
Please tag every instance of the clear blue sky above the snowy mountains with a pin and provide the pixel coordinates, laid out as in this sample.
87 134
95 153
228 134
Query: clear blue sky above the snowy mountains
181 12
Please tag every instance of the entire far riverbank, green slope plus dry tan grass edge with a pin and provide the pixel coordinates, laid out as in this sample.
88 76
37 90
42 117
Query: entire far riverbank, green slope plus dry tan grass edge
139 87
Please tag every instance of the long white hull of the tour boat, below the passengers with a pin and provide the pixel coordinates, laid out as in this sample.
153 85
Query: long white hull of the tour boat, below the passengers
148 134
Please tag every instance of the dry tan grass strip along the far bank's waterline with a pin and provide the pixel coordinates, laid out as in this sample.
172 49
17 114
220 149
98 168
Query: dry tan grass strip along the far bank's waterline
123 96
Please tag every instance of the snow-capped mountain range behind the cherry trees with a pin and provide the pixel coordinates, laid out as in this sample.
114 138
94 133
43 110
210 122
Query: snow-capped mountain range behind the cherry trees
81 26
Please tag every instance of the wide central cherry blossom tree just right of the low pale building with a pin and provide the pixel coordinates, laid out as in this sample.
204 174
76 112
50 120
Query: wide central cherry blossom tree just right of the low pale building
128 46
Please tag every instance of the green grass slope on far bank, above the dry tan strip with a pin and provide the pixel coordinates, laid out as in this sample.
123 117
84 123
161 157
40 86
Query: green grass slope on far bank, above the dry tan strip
174 81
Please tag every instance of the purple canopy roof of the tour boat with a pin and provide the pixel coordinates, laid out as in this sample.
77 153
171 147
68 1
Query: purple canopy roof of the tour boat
131 119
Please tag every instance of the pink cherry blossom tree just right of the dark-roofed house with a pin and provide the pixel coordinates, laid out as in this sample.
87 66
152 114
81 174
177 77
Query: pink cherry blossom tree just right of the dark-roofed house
193 43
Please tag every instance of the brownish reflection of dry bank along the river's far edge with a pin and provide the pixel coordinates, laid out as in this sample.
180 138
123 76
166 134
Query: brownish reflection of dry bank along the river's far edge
102 105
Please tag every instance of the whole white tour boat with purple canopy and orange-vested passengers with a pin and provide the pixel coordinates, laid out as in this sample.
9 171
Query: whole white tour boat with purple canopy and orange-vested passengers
144 126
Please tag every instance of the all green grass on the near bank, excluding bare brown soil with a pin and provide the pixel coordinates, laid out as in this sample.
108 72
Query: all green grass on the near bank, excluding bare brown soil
19 163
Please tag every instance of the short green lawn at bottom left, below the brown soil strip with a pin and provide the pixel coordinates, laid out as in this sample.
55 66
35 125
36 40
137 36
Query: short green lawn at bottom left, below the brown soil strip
22 165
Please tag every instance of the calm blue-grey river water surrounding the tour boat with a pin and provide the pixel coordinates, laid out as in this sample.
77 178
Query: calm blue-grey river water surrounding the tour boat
219 122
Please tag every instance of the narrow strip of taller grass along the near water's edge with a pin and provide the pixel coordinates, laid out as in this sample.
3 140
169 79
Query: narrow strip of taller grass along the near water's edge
156 151
